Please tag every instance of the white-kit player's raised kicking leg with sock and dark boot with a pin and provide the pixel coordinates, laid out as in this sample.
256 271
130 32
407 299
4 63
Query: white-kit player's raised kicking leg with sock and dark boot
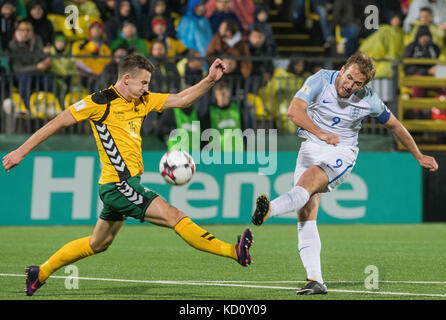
313 180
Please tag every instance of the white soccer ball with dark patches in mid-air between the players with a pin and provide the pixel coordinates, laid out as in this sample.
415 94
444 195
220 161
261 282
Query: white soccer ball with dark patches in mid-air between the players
177 167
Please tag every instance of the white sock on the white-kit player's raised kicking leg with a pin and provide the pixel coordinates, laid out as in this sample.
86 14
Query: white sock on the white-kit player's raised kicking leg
291 201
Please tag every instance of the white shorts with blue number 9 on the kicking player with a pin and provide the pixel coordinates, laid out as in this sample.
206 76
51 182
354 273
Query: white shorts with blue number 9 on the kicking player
337 162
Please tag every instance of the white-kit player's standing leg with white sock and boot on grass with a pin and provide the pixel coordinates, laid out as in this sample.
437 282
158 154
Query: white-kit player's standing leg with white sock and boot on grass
309 246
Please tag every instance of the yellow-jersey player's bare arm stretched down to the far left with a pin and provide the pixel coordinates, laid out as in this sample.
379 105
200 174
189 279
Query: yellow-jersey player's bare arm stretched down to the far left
12 159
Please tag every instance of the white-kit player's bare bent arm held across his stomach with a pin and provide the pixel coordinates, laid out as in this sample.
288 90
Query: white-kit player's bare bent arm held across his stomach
297 113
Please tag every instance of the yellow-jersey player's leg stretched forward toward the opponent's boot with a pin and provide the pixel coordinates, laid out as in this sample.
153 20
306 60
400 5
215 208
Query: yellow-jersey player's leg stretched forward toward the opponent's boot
163 214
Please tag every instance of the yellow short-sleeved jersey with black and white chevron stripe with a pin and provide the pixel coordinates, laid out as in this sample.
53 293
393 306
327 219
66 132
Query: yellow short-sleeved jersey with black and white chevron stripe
116 124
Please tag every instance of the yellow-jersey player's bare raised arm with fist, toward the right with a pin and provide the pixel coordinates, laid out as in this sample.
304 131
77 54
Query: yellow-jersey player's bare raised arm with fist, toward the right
188 96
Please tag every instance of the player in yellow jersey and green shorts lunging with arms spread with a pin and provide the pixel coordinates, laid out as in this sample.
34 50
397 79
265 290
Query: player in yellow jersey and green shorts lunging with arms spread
116 115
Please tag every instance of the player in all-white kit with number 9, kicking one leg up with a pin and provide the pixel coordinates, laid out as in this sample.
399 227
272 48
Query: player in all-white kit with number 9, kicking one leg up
329 109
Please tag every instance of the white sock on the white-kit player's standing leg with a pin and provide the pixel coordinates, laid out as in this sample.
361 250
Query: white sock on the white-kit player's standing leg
309 245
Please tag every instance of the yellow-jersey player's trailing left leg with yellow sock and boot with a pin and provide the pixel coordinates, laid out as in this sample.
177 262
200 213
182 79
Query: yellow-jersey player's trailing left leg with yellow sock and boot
99 241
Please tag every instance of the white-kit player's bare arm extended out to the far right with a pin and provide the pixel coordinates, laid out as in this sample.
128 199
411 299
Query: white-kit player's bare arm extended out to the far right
401 133
